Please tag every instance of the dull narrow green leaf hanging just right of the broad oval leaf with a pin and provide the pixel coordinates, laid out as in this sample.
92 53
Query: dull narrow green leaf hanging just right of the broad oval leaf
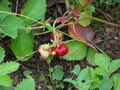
90 56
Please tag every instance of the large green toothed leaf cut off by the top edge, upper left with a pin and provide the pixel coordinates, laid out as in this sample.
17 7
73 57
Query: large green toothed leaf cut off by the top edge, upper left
35 9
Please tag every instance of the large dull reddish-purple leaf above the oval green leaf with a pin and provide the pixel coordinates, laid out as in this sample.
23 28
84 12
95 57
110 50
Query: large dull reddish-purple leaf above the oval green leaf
84 33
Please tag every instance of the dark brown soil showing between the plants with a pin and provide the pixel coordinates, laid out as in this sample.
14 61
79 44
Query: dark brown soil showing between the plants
110 45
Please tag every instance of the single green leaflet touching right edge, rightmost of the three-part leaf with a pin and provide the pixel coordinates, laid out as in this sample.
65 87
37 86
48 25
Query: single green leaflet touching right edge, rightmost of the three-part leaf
114 65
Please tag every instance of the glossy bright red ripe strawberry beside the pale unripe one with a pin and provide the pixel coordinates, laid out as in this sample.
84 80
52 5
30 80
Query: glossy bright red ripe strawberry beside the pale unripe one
60 50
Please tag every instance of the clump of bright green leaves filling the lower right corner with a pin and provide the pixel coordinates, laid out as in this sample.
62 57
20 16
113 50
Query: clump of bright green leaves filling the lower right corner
101 78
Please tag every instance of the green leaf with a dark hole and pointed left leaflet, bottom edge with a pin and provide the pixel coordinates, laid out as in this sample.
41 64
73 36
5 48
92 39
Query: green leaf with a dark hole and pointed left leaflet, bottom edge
84 80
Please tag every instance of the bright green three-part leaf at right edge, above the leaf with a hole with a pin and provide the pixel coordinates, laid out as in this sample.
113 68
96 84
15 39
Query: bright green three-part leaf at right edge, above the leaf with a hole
105 66
